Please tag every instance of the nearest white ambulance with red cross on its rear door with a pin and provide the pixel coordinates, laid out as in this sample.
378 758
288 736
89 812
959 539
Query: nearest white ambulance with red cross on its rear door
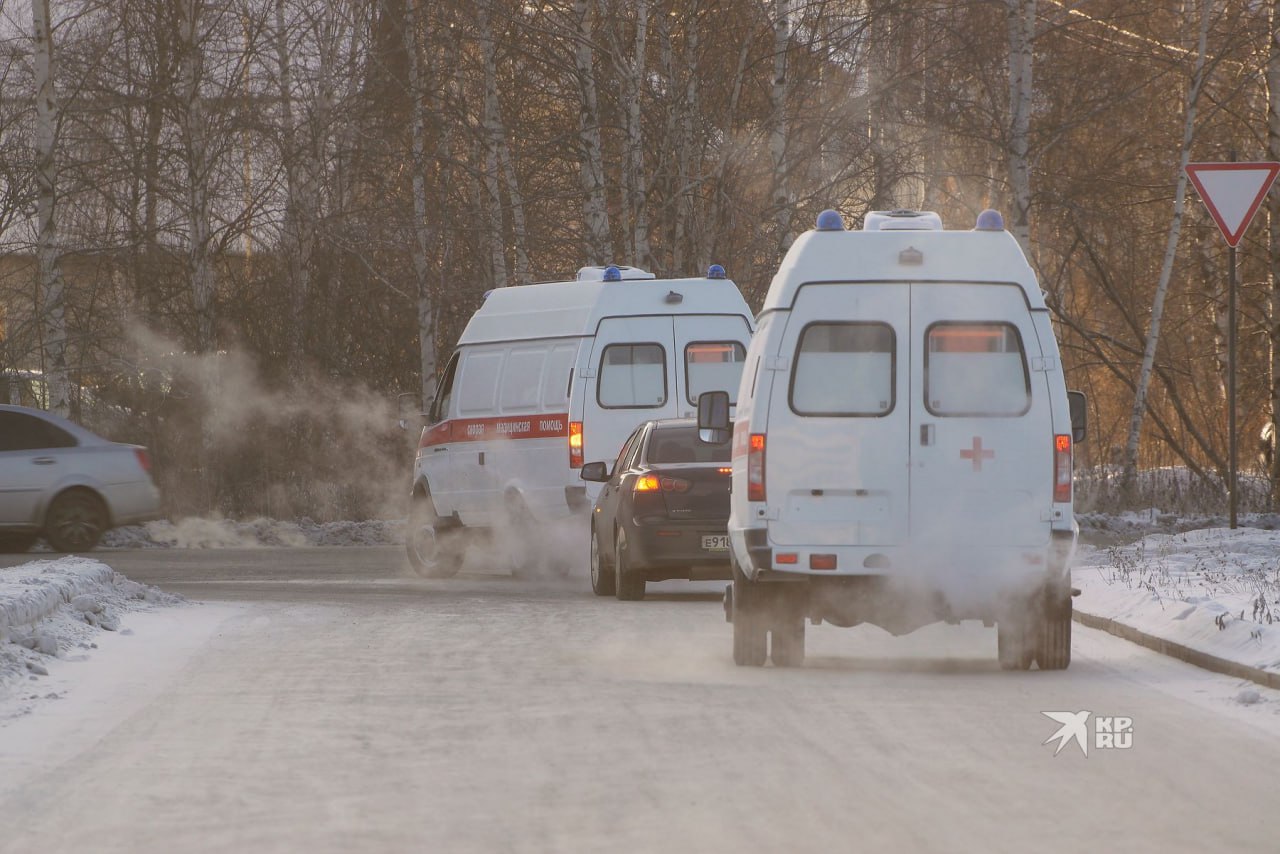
903 444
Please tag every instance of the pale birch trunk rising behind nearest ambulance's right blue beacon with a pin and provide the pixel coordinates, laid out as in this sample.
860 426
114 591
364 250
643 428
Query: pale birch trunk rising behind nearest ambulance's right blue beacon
1022 34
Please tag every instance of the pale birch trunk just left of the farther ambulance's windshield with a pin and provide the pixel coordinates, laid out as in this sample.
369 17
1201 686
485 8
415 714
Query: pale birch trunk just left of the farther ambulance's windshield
419 229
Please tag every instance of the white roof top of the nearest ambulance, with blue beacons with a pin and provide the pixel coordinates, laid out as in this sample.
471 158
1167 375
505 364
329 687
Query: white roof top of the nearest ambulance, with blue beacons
902 255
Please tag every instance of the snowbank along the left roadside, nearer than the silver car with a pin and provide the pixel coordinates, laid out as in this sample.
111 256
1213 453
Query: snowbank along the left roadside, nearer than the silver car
52 610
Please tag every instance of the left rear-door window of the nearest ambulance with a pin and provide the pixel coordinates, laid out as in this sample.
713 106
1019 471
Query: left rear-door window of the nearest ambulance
844 369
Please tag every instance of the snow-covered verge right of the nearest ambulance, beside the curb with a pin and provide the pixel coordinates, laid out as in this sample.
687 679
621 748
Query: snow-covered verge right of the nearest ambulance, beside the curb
1215 591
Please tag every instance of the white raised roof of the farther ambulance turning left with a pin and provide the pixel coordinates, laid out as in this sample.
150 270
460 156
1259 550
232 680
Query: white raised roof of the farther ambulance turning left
575 309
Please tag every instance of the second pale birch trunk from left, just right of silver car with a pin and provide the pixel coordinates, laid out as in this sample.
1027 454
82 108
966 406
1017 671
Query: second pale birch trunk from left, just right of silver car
195 140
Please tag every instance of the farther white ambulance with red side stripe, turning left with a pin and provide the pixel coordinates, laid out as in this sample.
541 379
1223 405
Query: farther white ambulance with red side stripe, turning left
548 376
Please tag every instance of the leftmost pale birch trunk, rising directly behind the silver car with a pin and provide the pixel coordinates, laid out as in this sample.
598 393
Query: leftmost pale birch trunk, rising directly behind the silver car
48 253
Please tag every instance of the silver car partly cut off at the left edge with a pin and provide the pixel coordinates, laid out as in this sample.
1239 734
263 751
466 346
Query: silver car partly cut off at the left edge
61 482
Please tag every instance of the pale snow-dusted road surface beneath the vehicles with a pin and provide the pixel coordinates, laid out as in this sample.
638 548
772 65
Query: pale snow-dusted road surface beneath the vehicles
323 701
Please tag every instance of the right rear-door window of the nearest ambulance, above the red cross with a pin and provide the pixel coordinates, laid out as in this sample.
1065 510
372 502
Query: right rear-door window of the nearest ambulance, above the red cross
976 369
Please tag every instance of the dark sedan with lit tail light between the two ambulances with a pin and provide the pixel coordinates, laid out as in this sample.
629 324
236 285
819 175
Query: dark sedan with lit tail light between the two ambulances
662 513
